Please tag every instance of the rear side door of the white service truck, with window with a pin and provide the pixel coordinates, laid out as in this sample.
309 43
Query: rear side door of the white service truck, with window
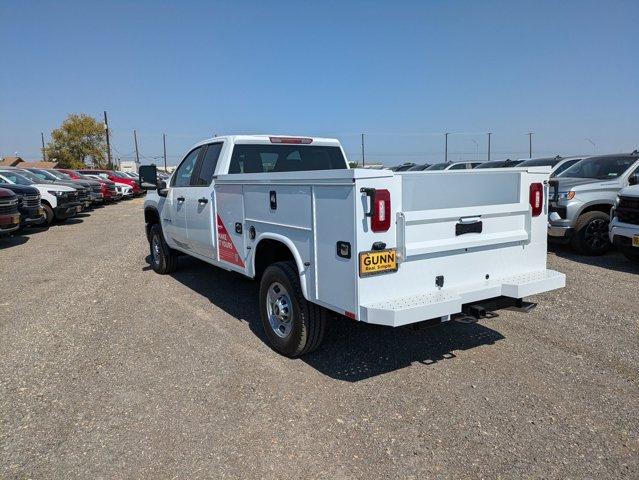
200 208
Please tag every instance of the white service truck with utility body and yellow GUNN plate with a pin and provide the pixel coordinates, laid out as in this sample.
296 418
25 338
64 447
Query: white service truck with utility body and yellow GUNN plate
372 245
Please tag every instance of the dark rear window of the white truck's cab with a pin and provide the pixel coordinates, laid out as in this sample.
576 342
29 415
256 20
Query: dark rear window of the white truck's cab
285 158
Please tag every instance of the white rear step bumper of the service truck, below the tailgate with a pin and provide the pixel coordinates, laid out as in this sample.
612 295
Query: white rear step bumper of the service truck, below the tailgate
441 303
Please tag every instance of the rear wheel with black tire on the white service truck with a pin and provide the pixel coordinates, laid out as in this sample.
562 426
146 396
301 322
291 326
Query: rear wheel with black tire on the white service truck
303 332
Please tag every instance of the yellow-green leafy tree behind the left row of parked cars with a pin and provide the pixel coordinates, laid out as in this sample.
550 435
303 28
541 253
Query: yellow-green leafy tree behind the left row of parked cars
79 139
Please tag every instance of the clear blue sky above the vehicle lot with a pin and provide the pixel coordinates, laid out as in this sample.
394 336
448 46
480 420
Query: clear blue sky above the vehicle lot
401 72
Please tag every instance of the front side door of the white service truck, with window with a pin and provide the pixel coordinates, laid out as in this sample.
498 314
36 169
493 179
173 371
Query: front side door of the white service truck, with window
178 198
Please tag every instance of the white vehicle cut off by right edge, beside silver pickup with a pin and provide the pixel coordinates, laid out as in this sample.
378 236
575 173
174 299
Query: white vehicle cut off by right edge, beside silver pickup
624 223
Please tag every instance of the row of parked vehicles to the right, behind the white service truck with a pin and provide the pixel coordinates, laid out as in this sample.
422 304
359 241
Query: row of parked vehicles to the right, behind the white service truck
593 200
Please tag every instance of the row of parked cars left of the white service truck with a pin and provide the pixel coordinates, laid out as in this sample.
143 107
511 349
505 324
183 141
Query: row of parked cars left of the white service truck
35 196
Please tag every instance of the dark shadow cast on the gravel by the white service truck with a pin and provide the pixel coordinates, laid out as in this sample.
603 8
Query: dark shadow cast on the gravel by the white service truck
351 351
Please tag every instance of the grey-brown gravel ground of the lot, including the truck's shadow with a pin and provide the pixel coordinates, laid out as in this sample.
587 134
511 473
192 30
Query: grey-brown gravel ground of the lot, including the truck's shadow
112 371
